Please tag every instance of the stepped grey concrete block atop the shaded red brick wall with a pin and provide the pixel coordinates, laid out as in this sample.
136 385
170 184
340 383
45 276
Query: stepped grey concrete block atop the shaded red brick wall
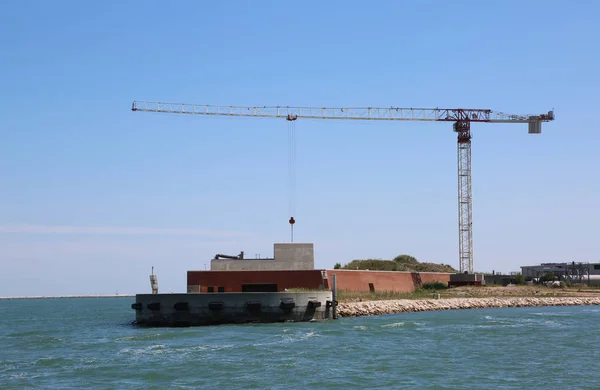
287 256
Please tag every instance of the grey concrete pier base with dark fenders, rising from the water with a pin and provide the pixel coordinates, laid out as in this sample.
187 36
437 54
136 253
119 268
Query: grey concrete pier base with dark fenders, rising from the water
231 308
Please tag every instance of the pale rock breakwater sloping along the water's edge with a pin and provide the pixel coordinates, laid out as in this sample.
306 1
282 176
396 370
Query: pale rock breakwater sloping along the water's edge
369 308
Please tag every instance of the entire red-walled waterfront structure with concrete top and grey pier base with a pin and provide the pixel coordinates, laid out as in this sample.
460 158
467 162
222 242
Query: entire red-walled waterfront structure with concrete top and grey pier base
283 288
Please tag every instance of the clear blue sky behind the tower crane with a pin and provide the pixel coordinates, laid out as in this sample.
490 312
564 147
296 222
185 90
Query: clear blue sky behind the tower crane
93 195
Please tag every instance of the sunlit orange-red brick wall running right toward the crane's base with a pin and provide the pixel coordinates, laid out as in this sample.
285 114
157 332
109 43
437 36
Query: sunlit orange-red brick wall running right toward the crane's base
382 280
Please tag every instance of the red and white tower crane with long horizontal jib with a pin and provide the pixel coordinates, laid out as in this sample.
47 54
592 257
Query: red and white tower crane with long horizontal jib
461 118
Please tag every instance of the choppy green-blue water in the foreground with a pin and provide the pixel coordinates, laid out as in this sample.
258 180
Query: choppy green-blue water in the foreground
90 342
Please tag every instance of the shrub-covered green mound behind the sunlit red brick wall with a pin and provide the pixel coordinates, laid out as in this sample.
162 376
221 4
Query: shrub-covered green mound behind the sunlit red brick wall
405 263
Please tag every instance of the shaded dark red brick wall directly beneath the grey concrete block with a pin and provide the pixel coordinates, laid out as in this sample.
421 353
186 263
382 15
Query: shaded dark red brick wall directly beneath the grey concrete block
233 280
